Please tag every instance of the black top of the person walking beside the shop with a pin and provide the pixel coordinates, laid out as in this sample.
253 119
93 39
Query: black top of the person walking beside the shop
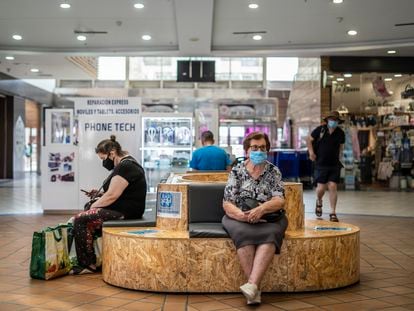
327 146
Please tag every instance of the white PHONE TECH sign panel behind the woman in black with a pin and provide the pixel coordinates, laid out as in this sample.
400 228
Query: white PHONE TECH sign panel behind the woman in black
98 119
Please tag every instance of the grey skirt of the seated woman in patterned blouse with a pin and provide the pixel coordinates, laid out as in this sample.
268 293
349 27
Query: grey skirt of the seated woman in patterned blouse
243 233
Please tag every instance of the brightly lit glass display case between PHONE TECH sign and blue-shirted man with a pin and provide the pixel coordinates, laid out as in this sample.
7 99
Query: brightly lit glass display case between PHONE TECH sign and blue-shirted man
167 141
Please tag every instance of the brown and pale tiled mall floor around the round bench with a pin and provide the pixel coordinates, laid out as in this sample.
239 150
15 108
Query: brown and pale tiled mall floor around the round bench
387 266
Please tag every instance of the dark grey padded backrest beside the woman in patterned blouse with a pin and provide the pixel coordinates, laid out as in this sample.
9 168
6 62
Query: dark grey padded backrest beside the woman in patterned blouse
205 202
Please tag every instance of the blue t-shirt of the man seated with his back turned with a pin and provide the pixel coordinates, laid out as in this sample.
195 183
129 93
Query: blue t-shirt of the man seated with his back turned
210 158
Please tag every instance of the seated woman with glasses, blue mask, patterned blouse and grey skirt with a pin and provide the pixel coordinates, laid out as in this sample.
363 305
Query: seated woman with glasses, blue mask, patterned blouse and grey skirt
256 238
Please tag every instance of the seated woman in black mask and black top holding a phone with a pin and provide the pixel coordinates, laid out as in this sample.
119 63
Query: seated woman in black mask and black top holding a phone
124 193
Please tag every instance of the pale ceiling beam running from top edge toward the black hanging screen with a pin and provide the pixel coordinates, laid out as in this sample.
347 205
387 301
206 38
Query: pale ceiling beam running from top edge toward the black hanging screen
194 20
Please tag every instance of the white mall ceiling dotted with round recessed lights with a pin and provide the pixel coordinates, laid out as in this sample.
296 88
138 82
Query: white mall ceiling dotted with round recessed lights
304 28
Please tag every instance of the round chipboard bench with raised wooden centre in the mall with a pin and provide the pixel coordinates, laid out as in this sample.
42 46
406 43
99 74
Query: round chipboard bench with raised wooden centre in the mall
166 259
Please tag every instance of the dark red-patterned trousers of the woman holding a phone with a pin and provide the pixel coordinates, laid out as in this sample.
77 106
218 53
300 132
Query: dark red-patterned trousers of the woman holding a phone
85 225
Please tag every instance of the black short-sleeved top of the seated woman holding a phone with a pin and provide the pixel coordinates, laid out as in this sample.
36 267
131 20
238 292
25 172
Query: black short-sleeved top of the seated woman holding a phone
131 202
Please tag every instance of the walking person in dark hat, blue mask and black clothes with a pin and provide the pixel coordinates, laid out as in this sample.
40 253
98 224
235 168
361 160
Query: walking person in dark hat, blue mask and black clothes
325 145
